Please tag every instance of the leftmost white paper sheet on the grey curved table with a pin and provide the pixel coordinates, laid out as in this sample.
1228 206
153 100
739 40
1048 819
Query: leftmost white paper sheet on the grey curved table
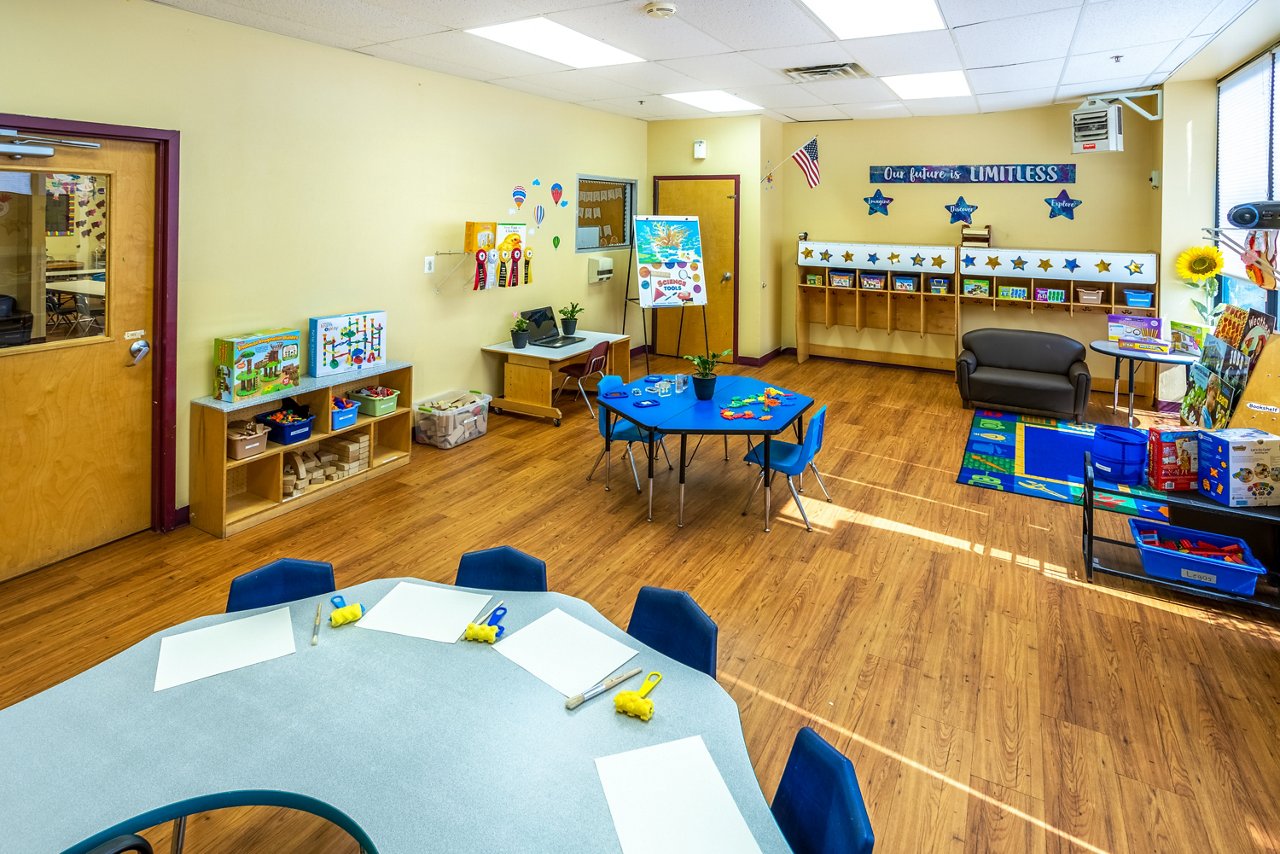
226 647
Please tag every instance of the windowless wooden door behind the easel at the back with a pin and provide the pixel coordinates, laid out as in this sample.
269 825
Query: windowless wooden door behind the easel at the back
714 200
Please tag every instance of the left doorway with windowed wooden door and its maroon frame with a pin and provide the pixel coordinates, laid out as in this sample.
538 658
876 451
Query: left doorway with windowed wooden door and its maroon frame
88 264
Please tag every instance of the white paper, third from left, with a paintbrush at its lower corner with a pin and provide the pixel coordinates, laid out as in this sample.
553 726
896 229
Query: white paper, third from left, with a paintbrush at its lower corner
566 654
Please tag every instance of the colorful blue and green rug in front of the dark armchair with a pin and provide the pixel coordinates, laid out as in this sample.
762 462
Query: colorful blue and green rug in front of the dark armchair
1044 459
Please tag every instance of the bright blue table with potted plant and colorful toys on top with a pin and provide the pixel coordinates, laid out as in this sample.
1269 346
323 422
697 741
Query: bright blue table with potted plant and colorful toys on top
685 415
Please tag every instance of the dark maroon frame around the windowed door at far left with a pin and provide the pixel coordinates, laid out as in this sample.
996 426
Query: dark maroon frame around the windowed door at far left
164 341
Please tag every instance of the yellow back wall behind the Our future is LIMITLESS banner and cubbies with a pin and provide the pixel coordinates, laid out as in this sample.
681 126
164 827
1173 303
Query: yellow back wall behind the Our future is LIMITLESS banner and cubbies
1121 211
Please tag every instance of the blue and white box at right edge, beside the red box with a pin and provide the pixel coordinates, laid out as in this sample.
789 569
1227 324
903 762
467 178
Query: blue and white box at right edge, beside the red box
1240 468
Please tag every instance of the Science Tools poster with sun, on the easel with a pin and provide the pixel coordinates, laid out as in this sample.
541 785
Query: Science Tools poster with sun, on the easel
670 262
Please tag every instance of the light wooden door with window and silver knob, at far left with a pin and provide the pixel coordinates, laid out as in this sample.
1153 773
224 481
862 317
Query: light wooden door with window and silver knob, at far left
76 414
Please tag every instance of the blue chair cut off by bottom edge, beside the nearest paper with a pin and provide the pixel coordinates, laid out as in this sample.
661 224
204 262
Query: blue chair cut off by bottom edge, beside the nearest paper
820 806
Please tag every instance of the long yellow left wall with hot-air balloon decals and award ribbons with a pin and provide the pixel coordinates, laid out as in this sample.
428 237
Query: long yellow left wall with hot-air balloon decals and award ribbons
314 181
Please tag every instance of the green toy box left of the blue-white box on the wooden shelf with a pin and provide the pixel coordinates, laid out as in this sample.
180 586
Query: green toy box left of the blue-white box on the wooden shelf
257 364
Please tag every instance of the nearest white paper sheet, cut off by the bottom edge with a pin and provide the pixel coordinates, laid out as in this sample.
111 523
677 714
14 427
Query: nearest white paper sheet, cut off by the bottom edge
670 800
